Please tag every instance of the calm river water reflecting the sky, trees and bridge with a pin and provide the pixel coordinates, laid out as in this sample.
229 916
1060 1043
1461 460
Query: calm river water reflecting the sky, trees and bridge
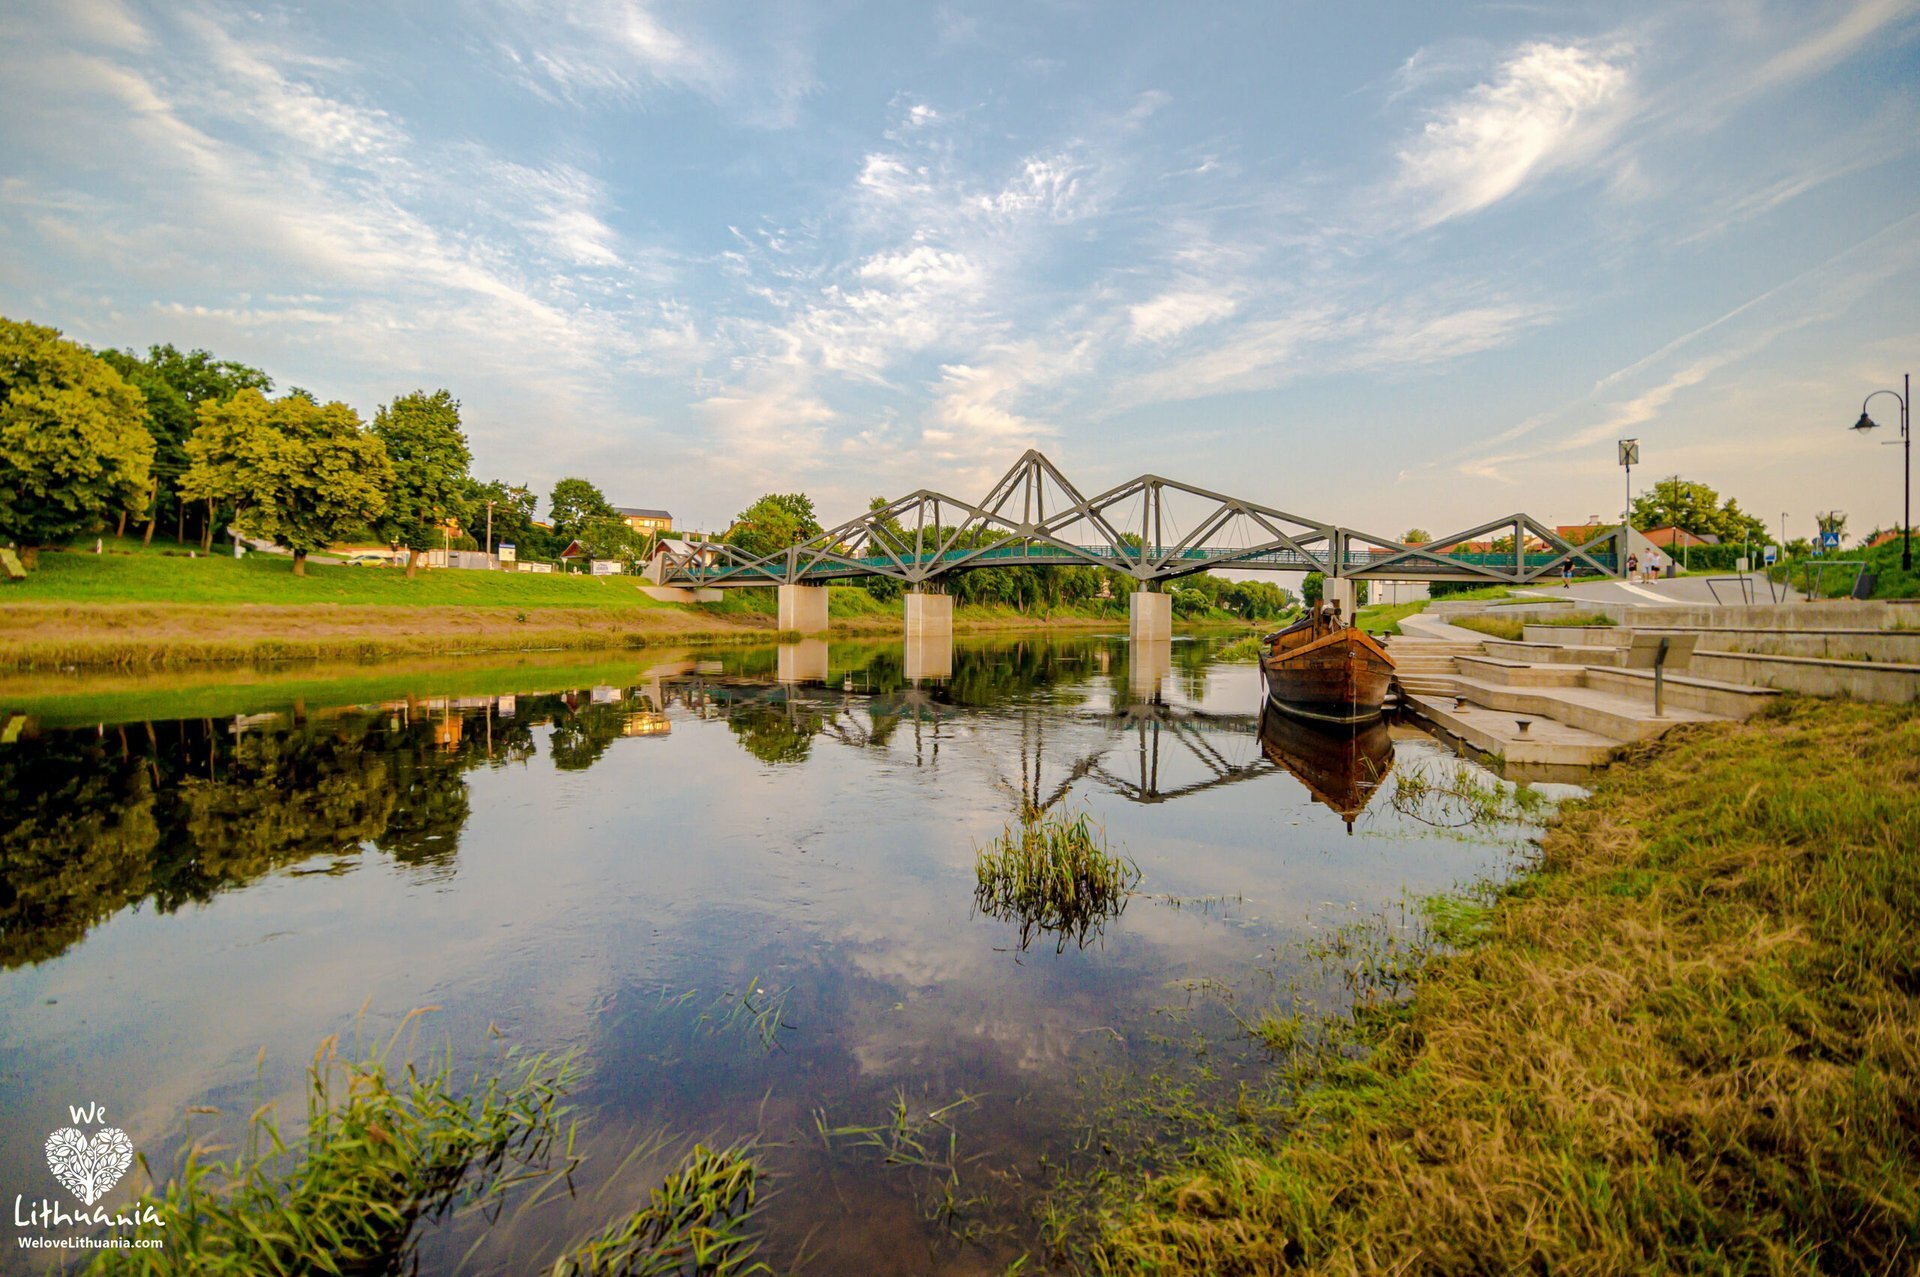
191 904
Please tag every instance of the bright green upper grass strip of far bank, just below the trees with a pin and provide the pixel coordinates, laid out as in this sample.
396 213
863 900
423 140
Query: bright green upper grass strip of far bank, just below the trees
162 575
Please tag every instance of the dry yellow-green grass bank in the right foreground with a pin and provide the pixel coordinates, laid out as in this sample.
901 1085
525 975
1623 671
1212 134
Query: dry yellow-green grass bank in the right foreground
1687 1042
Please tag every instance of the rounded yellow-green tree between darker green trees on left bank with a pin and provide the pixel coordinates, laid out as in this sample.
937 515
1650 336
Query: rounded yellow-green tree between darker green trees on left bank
297 473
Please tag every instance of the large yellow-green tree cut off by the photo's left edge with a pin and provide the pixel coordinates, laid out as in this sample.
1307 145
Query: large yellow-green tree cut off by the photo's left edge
74 443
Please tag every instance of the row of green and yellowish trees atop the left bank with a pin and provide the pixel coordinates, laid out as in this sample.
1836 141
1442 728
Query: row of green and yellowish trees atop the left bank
193 443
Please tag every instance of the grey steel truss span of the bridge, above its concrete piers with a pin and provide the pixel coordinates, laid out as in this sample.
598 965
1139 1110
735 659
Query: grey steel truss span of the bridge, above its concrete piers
1151 529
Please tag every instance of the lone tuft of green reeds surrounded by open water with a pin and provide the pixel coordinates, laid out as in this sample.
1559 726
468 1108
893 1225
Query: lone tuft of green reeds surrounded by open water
1053 875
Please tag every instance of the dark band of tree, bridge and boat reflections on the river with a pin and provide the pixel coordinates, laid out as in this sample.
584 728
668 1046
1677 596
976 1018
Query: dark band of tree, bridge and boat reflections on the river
178 811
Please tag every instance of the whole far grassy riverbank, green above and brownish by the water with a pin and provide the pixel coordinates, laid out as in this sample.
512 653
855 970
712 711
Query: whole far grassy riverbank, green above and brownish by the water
162 610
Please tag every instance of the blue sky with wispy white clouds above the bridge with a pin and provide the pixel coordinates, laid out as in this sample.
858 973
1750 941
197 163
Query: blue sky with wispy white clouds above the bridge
1381 264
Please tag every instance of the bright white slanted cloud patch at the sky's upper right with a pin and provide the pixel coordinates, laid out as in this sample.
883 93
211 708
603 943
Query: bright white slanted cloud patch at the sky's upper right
1550 107
